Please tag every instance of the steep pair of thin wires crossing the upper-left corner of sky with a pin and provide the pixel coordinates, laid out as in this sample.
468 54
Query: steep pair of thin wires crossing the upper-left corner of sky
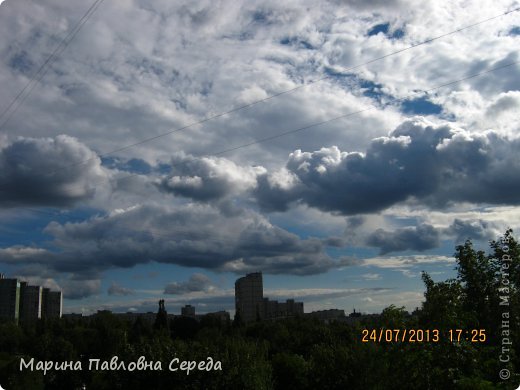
44 68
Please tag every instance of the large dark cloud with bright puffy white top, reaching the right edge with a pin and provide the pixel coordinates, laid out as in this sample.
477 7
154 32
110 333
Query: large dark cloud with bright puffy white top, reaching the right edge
433 165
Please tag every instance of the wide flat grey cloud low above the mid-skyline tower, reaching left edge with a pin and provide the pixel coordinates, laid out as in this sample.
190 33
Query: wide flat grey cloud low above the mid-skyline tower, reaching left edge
192 236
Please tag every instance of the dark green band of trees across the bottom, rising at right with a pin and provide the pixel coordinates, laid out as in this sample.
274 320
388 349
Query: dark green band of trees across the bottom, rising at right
298 353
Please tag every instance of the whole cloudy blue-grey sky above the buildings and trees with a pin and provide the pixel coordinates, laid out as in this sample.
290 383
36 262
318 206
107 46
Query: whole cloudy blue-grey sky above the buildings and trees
163 149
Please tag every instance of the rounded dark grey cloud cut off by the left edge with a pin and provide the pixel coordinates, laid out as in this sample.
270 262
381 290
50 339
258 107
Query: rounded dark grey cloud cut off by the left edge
56 171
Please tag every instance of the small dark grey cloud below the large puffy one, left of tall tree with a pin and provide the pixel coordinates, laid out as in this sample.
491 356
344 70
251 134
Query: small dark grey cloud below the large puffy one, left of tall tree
419 238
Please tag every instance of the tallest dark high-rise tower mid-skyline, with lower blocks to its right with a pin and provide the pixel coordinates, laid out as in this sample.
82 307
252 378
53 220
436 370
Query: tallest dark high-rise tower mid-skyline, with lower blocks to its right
249 294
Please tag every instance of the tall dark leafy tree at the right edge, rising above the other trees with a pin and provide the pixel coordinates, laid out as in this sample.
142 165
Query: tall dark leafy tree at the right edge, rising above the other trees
474 300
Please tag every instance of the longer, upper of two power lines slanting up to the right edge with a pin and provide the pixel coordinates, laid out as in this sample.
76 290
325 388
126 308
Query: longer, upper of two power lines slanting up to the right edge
288 91
